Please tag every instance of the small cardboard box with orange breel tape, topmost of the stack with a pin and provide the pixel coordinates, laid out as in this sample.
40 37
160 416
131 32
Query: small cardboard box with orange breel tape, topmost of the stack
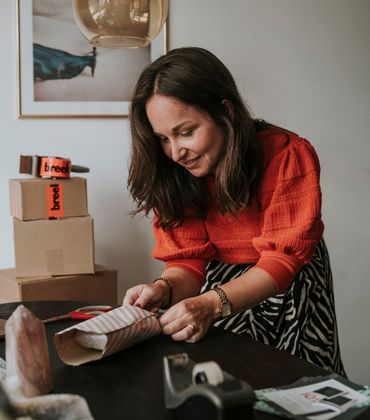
37 198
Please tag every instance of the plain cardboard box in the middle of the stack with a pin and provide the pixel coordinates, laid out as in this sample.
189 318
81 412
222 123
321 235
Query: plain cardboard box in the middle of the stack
54 247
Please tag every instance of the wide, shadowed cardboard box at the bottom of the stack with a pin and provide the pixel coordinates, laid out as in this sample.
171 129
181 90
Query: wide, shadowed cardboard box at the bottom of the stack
100 287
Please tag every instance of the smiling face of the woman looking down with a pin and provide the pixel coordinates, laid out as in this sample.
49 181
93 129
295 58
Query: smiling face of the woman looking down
188 137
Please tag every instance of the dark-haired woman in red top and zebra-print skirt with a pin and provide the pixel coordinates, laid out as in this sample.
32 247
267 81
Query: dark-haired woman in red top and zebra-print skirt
237 219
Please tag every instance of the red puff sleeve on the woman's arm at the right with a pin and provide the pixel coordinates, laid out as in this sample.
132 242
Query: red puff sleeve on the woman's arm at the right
291 205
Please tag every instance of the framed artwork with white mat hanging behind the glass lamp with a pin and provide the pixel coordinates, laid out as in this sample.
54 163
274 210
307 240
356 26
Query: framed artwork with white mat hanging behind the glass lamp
61 75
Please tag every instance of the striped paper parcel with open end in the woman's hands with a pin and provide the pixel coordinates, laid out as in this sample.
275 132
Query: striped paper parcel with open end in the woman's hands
105 334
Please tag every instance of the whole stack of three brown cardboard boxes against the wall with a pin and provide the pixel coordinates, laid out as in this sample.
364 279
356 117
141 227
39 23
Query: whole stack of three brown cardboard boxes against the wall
54 244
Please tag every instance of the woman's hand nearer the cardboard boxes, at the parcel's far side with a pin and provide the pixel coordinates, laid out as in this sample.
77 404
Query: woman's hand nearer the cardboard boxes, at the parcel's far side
147 296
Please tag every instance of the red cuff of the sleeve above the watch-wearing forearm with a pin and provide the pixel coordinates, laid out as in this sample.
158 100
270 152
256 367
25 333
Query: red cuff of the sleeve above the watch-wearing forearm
281 267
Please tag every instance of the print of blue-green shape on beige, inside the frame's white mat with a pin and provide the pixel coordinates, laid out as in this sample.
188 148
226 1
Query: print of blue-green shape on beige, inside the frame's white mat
67 68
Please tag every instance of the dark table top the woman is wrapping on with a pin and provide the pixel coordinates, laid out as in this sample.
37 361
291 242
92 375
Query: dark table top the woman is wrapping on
129 384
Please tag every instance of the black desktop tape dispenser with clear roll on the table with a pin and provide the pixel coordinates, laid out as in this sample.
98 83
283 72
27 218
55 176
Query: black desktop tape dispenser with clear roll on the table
203 391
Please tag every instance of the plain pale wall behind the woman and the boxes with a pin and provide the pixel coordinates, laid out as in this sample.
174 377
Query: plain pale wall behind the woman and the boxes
302 64
